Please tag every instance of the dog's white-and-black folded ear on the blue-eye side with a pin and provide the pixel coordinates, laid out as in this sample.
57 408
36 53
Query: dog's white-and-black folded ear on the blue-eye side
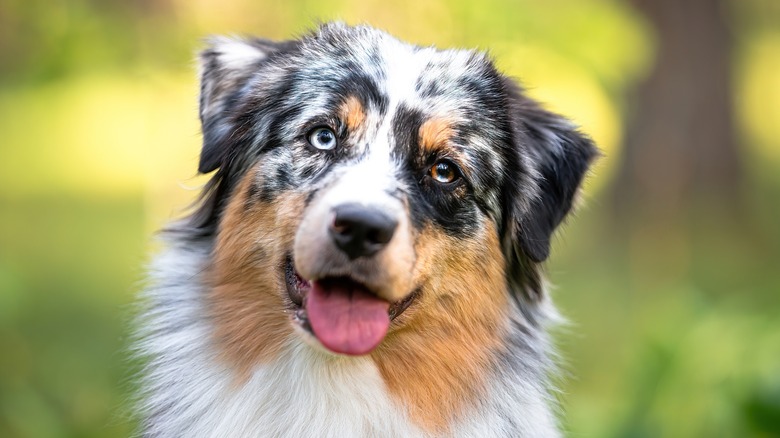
226 67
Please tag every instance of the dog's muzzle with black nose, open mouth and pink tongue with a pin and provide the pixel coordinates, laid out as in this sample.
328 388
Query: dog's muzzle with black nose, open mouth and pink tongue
352 270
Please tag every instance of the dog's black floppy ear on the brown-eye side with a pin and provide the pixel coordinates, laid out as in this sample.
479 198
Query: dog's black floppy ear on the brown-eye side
558 156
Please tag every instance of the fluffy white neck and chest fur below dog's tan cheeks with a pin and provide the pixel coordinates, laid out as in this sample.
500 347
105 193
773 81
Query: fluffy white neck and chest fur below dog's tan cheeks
188 390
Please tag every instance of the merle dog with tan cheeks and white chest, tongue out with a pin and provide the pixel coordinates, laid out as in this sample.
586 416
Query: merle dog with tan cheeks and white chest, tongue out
366 259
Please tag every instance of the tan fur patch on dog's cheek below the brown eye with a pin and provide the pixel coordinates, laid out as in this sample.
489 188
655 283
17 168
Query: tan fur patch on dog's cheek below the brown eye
438 359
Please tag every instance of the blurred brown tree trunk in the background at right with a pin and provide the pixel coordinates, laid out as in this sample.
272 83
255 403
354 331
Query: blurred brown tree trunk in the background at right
680 149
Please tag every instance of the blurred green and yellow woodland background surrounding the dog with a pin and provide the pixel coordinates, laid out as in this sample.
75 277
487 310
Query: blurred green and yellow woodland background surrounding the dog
670 274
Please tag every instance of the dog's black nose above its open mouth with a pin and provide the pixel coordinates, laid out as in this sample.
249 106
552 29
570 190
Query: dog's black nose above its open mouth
361 231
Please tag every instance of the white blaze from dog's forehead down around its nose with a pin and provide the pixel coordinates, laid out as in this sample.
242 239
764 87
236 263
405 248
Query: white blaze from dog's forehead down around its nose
372 180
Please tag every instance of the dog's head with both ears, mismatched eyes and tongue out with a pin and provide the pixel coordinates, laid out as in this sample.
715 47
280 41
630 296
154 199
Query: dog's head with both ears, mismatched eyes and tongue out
364 185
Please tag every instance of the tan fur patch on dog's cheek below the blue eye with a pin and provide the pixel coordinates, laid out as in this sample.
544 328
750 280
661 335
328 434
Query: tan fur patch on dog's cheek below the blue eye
248 290
